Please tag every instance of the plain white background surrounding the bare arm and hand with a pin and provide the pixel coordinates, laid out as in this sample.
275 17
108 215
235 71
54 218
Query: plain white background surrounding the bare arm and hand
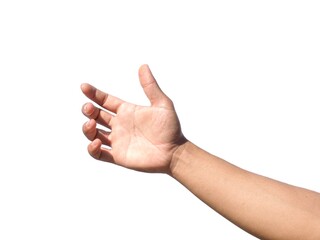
244 77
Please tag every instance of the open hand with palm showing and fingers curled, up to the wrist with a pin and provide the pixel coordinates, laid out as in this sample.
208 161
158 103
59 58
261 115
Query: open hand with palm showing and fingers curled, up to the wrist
138 137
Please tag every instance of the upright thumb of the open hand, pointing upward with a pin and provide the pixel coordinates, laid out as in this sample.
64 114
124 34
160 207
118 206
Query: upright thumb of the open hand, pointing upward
151 87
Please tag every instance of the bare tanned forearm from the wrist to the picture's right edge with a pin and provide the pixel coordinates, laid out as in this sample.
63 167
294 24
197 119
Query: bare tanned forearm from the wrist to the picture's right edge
261 206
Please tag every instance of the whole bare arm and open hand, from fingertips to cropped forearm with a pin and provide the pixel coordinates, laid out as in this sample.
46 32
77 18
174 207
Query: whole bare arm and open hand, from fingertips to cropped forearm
150 139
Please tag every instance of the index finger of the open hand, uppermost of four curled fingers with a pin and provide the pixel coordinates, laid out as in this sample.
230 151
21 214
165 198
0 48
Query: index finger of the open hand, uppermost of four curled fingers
105 100
